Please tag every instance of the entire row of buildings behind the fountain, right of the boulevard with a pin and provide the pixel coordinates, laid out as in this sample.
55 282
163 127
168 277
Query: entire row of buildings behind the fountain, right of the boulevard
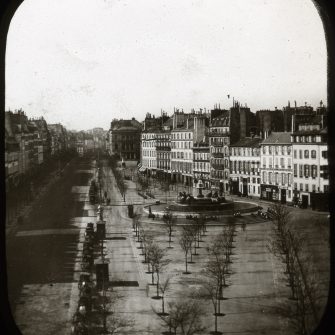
274 155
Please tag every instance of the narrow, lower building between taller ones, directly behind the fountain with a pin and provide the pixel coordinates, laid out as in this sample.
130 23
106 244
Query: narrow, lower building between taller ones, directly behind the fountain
201 163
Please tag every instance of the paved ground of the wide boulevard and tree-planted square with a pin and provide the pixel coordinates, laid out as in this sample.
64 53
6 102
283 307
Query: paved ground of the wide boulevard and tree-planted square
44 264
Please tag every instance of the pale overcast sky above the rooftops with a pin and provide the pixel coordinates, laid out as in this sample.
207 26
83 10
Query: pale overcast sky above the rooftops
85 62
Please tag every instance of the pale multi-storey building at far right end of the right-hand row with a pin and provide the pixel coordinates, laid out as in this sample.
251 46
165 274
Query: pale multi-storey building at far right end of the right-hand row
310 164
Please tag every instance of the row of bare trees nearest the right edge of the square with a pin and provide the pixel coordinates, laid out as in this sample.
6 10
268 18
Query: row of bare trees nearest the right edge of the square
288 246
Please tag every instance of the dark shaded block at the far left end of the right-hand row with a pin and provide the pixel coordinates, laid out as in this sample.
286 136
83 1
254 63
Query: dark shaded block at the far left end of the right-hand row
125 138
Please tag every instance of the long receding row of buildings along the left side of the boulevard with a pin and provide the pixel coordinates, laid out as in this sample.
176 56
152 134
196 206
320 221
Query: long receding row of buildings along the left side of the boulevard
32 142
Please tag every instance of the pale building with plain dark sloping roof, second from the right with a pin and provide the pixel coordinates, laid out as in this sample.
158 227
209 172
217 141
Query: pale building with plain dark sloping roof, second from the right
276 168
